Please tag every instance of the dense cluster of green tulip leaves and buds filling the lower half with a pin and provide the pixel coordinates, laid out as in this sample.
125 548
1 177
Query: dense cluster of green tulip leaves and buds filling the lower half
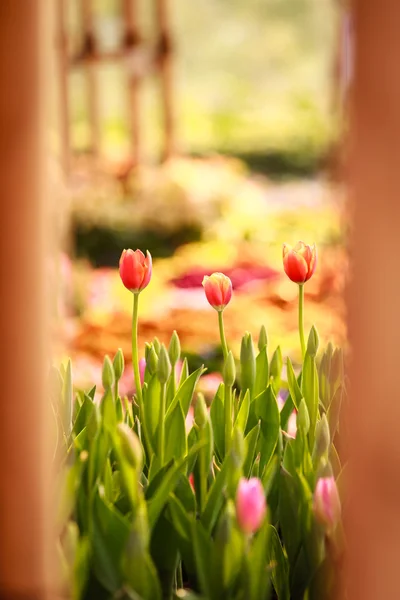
131 525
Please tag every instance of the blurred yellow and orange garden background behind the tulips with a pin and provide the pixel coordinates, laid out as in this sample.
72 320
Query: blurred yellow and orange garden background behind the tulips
207 133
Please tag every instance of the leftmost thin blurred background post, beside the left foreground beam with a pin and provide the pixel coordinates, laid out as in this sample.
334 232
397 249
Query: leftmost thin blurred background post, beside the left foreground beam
63 69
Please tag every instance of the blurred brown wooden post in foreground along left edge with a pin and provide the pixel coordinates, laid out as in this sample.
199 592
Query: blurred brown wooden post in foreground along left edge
24 484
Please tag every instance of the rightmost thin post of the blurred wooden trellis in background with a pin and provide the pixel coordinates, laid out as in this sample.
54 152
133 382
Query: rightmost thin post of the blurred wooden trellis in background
164 56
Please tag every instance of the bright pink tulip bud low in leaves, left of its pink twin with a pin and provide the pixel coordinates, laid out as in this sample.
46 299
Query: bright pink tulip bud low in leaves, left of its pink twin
251 505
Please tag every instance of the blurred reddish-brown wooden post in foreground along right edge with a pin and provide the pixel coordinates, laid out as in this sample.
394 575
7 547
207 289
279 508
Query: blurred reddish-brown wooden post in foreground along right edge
374 301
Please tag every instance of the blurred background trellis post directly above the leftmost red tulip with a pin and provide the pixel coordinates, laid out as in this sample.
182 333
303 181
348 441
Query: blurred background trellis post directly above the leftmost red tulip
132 43
